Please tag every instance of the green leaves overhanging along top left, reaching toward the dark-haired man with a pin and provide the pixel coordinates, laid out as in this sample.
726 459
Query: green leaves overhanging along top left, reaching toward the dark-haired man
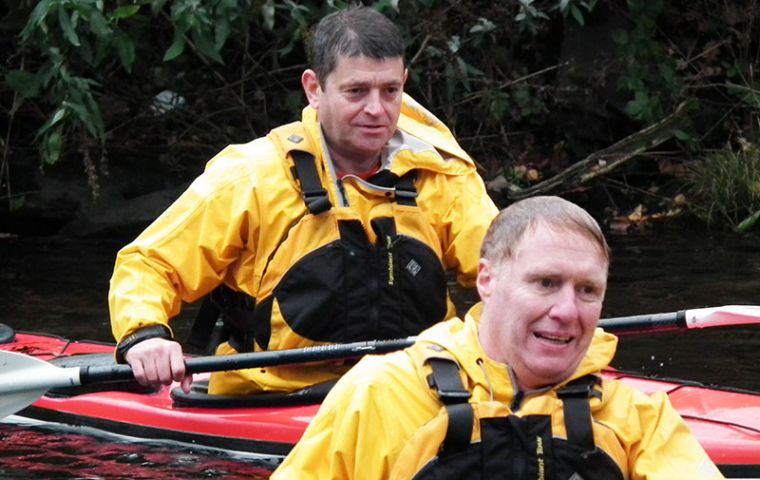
68 47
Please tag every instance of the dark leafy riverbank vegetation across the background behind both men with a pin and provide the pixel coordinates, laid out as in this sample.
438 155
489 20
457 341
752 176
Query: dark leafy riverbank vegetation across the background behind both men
640 110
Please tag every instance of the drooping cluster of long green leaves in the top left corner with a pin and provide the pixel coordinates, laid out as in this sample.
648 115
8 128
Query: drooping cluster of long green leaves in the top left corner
58 30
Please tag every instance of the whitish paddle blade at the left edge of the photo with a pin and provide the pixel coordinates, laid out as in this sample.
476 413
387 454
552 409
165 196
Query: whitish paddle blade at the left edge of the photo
24 379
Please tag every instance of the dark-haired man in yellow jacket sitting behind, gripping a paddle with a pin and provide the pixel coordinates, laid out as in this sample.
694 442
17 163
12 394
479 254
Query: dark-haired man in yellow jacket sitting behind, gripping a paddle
333 229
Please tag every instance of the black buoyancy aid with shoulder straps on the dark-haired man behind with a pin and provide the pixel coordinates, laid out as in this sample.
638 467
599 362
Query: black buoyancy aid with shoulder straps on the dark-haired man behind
349 289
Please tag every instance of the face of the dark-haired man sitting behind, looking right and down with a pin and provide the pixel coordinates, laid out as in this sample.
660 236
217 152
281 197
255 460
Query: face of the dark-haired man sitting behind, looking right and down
358 105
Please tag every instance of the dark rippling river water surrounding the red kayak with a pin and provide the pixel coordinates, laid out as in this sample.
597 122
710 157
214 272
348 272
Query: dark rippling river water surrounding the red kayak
59 286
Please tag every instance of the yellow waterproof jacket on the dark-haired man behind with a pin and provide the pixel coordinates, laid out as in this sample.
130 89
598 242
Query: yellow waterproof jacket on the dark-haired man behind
245 224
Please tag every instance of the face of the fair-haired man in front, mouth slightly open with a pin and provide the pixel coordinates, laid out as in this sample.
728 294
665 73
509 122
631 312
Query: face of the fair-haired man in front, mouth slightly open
541 305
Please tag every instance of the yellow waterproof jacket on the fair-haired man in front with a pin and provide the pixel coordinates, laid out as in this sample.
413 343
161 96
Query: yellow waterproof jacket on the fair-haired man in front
383 421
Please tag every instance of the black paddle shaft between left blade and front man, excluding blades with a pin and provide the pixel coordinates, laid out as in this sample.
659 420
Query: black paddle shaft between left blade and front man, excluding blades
220 363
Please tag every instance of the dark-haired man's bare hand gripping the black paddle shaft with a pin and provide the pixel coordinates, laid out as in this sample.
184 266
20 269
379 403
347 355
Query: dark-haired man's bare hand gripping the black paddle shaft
158 361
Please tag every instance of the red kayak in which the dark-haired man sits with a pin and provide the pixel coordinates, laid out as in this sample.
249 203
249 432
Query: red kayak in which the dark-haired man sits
726 422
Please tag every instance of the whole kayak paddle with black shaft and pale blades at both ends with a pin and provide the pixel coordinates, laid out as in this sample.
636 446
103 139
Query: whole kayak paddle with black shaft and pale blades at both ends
23 379
